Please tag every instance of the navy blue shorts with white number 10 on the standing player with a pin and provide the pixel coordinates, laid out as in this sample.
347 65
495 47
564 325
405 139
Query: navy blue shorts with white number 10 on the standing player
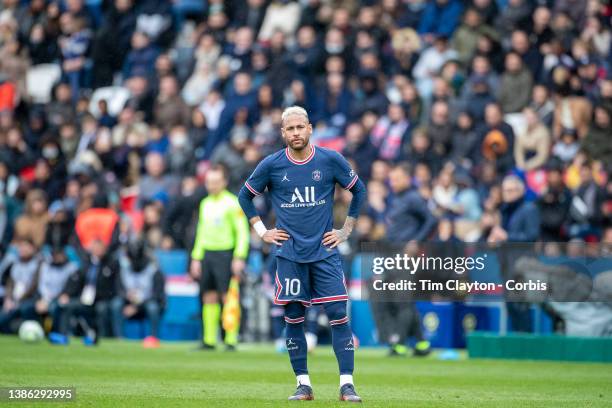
310 283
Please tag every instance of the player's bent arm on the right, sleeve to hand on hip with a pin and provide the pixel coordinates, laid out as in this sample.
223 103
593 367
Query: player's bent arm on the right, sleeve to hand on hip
346 177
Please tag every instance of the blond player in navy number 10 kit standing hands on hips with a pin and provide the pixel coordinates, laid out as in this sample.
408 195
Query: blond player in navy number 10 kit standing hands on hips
301 180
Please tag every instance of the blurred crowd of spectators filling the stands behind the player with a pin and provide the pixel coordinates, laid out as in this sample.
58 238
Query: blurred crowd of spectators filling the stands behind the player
434 102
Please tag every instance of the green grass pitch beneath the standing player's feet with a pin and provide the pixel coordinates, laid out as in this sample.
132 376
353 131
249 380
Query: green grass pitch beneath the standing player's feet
122 373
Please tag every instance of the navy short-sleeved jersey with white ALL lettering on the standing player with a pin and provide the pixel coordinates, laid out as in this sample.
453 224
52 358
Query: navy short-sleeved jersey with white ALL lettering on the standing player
302 194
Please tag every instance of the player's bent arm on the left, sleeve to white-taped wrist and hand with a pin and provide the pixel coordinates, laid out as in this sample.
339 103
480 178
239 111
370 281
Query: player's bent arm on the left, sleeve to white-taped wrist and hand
253 187
